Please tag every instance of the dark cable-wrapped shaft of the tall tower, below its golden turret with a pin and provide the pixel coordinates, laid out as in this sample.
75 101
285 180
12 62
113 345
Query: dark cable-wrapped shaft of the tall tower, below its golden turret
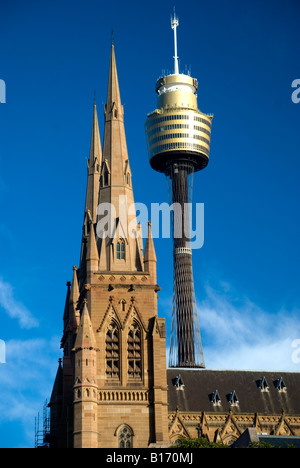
186 348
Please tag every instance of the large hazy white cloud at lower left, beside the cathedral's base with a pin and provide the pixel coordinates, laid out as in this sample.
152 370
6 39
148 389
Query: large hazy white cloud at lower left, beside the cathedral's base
26 381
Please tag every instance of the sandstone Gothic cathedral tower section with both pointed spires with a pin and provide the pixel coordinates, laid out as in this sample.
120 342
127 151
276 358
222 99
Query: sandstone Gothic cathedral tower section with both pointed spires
111 390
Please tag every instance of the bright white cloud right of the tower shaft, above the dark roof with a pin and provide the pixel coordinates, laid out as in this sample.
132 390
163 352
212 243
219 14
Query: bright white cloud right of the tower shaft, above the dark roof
238 334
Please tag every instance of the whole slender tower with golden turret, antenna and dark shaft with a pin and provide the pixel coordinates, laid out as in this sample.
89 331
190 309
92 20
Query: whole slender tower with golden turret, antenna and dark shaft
178 139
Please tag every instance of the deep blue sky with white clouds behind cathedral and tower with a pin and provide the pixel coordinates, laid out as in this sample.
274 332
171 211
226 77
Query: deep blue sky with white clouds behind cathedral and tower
53 56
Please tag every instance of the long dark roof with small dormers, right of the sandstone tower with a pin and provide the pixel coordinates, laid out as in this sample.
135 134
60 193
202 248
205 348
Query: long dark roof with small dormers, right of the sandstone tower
200 384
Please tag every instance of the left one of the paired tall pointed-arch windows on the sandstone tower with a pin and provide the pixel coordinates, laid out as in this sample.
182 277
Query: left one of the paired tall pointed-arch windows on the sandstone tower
112 352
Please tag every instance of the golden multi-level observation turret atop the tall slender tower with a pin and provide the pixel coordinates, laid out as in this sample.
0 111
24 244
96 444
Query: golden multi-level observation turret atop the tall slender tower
177 129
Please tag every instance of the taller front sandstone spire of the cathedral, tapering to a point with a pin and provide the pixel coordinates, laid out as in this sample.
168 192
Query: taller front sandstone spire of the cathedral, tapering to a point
120 246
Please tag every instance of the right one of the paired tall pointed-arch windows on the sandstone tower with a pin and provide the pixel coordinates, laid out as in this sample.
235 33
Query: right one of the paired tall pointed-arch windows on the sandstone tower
134 352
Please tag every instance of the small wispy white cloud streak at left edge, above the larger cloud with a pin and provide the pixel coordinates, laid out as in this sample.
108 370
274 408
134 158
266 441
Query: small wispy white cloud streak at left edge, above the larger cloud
14 308
